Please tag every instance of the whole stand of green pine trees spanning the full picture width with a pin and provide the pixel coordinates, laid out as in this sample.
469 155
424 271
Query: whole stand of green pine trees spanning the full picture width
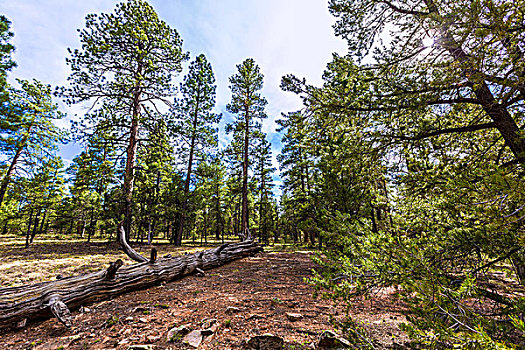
405 167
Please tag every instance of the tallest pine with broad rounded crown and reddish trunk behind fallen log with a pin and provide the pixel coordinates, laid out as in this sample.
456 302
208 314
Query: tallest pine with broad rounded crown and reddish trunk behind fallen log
125 65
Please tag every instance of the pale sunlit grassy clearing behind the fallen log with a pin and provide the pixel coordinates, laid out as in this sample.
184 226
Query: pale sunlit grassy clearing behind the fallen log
51 256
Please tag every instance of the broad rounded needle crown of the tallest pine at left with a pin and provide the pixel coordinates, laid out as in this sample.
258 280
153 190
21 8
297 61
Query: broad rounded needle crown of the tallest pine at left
125 52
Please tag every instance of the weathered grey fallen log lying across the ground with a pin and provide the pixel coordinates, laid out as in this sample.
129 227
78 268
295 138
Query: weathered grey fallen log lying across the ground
39 301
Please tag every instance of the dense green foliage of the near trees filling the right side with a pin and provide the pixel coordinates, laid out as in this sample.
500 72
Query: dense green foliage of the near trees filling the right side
415 163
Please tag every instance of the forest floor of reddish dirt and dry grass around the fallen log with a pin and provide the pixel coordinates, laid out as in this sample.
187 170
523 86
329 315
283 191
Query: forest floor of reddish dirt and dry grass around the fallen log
247 297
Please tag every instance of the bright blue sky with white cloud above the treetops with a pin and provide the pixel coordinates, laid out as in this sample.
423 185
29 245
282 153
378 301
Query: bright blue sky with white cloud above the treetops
283 36
